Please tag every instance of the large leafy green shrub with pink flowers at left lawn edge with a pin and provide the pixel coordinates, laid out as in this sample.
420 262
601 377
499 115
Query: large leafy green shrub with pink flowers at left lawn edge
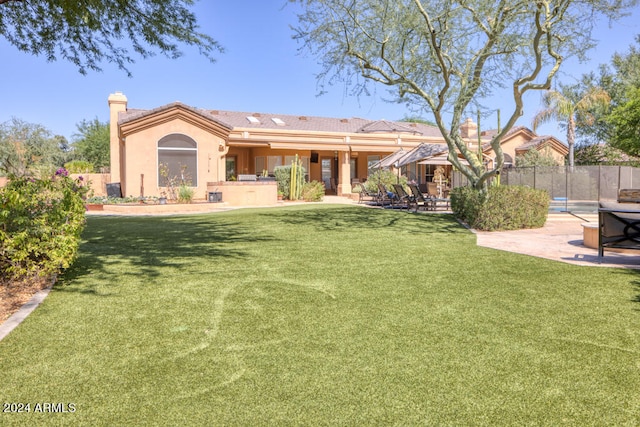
41 222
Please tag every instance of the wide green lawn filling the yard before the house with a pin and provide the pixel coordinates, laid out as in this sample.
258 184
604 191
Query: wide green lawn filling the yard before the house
323 315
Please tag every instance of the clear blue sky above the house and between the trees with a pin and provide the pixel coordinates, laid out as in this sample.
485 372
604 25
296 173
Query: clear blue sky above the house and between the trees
261 71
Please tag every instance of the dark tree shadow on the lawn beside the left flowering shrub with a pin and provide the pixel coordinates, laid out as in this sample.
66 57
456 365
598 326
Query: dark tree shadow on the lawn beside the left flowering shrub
149 244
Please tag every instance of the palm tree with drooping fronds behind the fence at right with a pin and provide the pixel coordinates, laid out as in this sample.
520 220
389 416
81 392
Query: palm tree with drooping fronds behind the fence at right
571 105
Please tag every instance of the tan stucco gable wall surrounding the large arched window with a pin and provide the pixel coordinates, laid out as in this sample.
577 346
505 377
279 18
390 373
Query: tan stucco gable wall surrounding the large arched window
141 154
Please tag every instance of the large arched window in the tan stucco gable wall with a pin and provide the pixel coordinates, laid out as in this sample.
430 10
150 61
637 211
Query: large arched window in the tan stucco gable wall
177 160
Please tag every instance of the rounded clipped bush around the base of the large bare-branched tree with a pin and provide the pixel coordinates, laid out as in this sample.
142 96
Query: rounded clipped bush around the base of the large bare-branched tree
501 207
